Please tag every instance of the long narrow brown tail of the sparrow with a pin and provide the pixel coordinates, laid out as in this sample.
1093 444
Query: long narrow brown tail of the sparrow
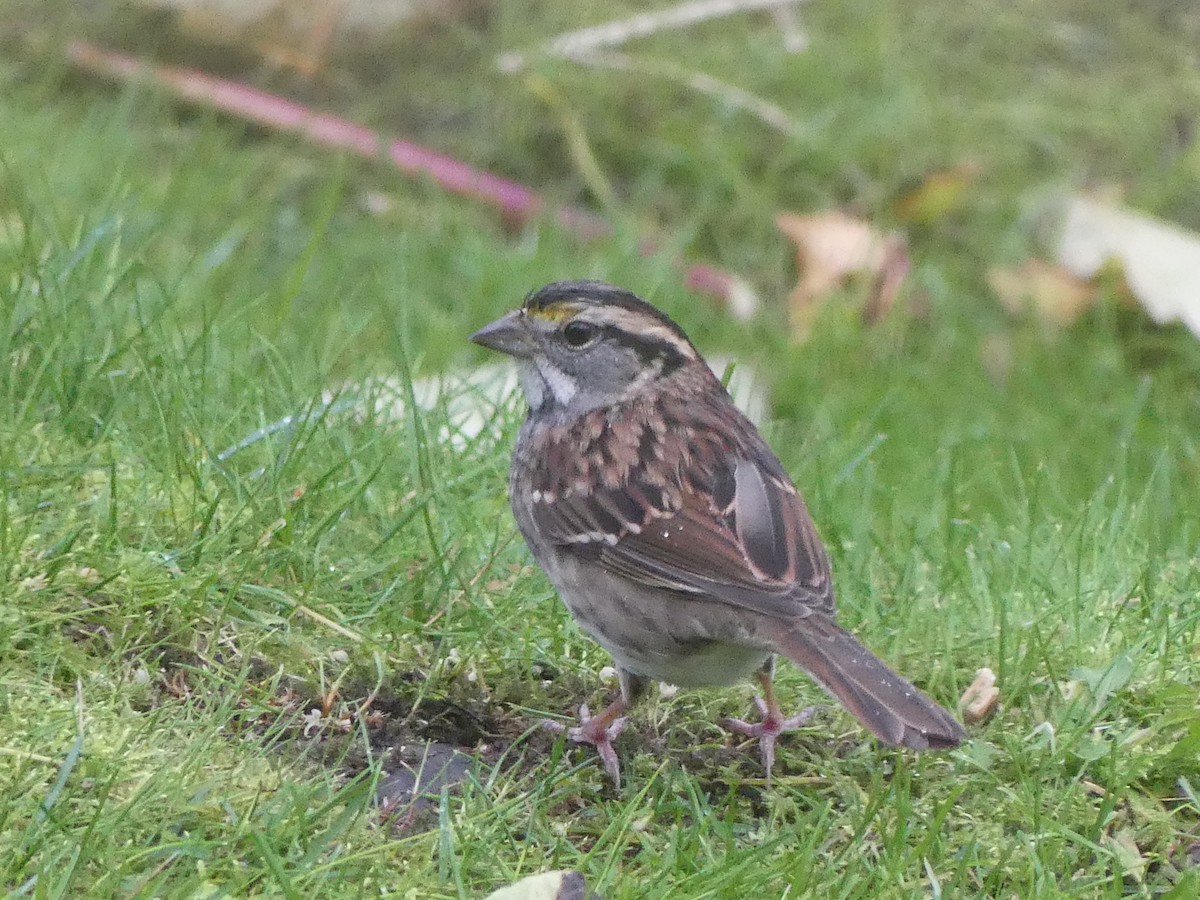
889 705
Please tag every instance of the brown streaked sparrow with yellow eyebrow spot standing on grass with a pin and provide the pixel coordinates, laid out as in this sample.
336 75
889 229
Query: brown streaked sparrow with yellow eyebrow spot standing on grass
669 527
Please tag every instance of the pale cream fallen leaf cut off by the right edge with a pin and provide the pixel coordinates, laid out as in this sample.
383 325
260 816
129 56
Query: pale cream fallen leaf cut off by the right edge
1161 262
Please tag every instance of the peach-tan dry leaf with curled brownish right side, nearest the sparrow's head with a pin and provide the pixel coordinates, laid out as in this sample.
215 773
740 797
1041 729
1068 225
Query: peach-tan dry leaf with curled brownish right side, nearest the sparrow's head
830 249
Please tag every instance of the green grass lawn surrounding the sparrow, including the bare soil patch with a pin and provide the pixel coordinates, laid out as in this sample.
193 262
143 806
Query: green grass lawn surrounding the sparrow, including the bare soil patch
170 283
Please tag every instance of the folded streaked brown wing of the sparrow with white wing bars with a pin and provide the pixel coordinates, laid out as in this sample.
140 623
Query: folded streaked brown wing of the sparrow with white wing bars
712 514
